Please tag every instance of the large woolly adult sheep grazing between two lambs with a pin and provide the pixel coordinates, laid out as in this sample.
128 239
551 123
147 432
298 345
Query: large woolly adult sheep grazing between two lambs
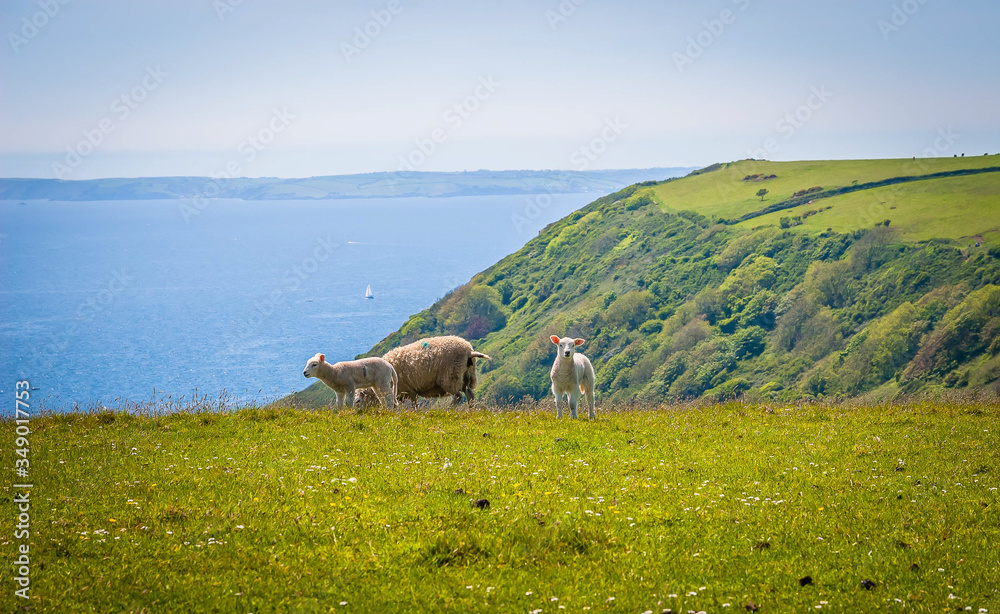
433 367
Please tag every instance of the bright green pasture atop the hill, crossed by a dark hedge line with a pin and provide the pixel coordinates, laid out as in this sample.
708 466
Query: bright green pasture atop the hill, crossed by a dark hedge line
920 205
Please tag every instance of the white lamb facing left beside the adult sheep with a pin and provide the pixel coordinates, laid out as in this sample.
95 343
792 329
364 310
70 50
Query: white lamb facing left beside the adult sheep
350 375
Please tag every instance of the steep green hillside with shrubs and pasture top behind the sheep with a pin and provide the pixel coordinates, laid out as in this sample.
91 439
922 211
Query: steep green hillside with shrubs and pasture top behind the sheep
678 299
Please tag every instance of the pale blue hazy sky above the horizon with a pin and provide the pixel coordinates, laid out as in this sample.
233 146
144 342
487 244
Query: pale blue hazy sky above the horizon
257 88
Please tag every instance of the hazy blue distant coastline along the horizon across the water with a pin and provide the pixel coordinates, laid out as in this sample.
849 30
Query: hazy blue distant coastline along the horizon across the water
367 185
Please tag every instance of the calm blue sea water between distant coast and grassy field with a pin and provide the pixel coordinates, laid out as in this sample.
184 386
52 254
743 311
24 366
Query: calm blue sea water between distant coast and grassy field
125 300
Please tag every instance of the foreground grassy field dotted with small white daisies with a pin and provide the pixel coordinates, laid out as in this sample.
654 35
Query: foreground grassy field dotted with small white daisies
686 509
